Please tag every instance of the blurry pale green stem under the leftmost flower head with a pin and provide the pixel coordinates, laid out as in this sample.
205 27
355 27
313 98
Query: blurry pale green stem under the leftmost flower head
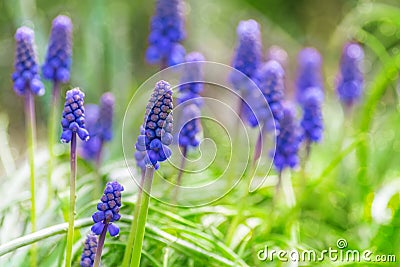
31 137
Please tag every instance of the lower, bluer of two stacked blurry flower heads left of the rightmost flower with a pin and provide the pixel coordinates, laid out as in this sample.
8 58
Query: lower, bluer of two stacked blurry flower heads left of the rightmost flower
312 121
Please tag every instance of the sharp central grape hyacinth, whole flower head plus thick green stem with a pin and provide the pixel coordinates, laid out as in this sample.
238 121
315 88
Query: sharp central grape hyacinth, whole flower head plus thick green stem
153 142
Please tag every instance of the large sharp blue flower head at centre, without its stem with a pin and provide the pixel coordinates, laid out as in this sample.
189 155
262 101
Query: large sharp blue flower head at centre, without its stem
157 126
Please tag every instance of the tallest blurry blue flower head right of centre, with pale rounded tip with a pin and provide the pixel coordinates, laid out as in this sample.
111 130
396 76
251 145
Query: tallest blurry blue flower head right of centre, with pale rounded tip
248 53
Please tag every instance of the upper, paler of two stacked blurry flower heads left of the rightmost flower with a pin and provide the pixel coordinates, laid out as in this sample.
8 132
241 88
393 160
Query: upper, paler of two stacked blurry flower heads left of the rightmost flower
309 71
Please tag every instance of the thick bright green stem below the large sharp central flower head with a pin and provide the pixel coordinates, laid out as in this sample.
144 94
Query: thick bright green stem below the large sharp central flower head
142 217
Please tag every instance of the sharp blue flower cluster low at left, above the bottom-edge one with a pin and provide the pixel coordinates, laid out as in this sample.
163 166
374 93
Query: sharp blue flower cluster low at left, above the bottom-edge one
108 209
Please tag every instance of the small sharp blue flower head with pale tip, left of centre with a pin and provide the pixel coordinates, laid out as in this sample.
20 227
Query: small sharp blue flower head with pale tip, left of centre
73 120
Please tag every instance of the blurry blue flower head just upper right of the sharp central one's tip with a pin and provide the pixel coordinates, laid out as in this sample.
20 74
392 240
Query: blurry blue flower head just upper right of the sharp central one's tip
191 86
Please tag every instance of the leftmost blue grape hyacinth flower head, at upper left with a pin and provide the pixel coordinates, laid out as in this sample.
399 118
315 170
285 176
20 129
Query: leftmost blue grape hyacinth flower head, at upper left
25 76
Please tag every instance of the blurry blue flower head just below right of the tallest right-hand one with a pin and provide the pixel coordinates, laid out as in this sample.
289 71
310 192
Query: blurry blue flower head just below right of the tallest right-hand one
270 79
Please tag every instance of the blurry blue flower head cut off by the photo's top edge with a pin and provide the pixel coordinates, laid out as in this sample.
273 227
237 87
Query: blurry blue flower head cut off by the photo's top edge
167 31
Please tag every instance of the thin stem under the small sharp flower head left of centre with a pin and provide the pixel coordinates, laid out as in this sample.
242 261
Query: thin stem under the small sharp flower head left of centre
71 215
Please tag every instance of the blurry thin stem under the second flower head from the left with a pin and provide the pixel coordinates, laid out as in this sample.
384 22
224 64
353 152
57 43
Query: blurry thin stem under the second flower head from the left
52 137
